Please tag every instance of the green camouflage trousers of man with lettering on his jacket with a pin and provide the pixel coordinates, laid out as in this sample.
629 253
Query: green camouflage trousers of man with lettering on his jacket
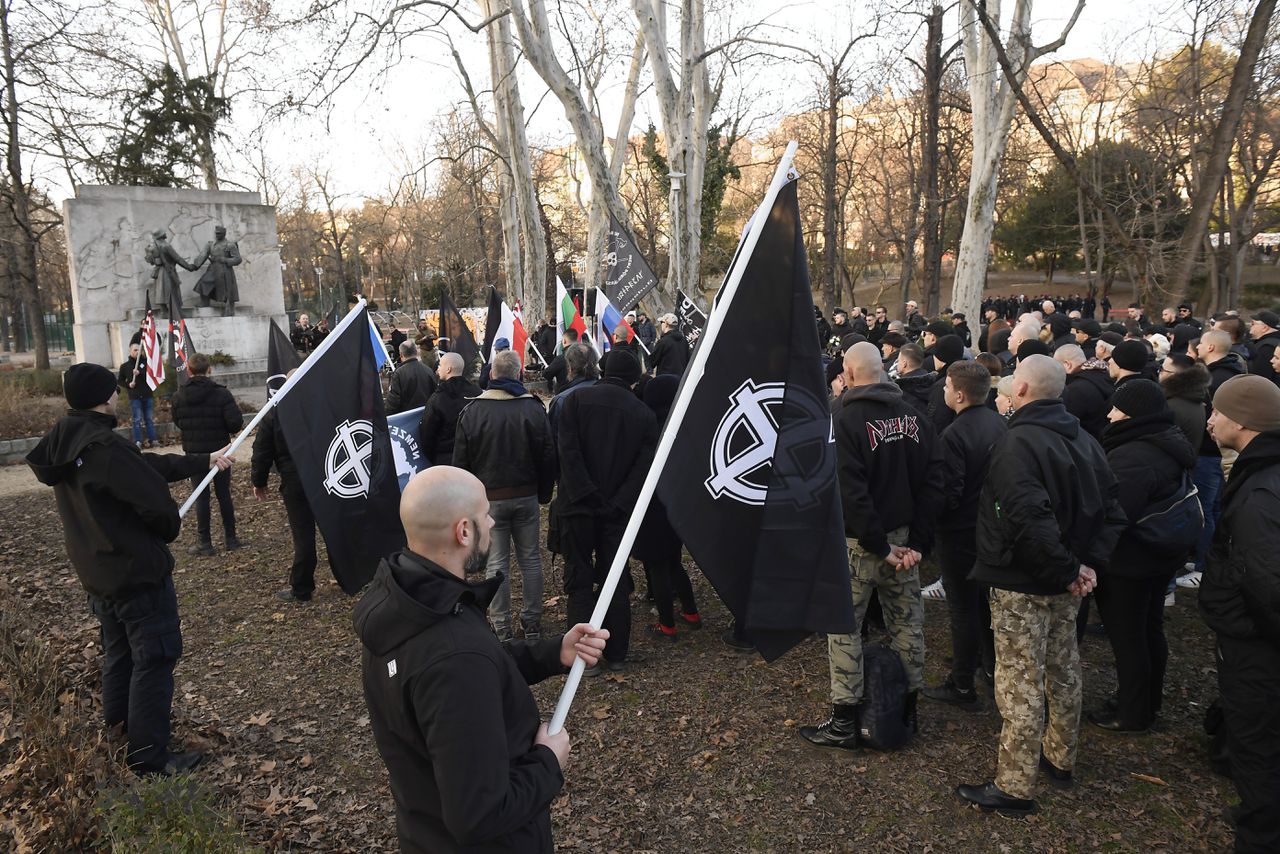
904 615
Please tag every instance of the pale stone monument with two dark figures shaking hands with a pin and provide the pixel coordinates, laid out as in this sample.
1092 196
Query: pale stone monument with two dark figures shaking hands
116 255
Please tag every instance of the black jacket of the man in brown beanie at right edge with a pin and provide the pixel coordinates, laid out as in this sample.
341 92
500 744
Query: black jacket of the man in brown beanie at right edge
1240 596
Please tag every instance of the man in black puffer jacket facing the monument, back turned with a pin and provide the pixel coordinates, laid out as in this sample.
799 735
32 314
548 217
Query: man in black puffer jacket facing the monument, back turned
208 414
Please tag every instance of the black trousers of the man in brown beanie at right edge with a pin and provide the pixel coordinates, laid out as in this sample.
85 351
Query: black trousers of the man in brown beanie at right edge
1249 678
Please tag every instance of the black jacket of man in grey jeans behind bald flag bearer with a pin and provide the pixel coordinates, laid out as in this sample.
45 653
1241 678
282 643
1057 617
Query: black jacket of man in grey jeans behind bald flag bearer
506 442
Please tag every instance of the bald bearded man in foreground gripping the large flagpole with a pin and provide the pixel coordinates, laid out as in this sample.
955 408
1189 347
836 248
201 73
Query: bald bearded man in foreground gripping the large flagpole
472 765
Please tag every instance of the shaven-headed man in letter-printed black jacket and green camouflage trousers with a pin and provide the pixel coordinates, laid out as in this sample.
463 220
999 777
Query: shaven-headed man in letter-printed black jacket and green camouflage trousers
890 472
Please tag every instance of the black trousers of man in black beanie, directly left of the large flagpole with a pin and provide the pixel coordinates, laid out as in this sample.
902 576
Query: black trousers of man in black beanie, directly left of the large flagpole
589 545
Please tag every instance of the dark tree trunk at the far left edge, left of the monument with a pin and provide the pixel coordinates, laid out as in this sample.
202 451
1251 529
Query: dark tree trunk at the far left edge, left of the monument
20 200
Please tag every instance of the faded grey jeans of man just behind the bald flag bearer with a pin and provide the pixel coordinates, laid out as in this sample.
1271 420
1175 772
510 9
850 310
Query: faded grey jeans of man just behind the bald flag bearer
515 520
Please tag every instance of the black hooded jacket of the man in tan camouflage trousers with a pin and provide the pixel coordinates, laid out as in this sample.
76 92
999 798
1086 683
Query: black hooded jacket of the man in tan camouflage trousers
1050 504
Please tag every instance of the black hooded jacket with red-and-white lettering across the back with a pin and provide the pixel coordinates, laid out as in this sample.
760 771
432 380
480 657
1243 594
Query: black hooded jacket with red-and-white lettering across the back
890 465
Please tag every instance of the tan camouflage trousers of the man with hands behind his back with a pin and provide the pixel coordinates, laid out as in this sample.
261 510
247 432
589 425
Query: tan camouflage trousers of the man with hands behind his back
1037 663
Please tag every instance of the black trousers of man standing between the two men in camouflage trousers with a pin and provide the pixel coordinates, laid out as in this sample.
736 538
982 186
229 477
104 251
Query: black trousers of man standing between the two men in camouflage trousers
972 638
